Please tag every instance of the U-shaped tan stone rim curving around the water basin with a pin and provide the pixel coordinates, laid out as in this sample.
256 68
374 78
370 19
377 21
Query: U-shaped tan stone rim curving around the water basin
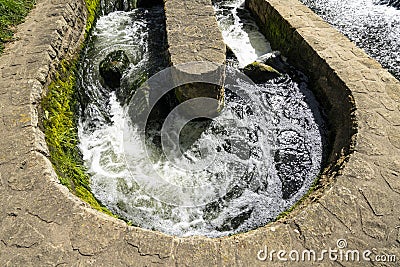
42 224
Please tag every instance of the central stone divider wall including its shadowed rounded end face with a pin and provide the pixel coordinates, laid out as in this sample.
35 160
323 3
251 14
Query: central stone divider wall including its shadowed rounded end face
193 36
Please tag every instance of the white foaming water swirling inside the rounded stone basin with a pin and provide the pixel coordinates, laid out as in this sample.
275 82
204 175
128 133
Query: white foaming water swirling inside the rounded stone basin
267 149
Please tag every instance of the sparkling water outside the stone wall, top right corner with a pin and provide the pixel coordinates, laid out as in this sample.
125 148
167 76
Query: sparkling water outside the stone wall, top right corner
372 26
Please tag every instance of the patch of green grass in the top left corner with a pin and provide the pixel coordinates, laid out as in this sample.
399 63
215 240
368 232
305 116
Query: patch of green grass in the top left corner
12 13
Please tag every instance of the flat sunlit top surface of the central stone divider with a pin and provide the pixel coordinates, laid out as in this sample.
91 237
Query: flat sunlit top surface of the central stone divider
193 33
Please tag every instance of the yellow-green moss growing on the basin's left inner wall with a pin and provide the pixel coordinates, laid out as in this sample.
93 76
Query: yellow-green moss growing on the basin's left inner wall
60 126
